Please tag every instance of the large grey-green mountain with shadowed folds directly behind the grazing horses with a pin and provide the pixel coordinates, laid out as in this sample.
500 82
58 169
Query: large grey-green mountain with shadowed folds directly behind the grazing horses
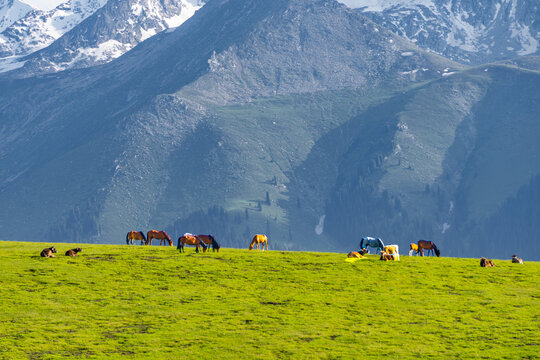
301 119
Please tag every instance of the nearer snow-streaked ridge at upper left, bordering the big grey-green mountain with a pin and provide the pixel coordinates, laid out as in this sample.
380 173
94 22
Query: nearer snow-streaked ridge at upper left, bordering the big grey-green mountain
111 31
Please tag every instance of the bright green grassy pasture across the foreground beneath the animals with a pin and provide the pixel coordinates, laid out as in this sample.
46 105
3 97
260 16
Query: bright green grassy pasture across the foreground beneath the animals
139 302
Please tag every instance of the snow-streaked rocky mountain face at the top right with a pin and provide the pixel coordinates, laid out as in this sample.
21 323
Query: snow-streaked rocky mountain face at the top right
471 32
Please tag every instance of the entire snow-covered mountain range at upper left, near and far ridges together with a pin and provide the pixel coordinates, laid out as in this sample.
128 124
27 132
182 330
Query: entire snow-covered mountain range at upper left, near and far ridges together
86 33
